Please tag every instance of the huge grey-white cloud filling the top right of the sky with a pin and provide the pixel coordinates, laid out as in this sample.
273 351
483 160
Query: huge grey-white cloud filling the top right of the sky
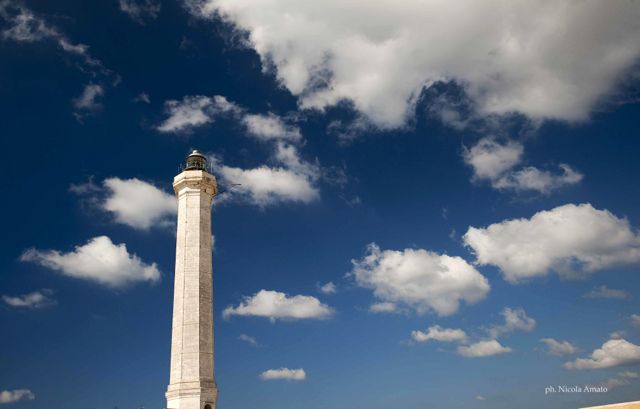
507 56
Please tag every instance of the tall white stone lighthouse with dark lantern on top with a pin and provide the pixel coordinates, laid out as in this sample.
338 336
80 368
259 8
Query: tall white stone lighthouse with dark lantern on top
192 383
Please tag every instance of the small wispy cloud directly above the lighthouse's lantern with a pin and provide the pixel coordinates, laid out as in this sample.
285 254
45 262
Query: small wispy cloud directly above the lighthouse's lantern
193 111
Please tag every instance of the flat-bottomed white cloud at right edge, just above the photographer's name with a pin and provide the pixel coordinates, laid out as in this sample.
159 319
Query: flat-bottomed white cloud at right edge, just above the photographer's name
615 352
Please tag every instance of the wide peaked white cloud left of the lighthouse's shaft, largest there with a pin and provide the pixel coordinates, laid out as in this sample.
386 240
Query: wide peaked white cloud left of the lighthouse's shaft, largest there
99 260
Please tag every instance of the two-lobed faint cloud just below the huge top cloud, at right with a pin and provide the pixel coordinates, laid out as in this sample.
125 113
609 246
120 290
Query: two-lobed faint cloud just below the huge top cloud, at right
495 162
